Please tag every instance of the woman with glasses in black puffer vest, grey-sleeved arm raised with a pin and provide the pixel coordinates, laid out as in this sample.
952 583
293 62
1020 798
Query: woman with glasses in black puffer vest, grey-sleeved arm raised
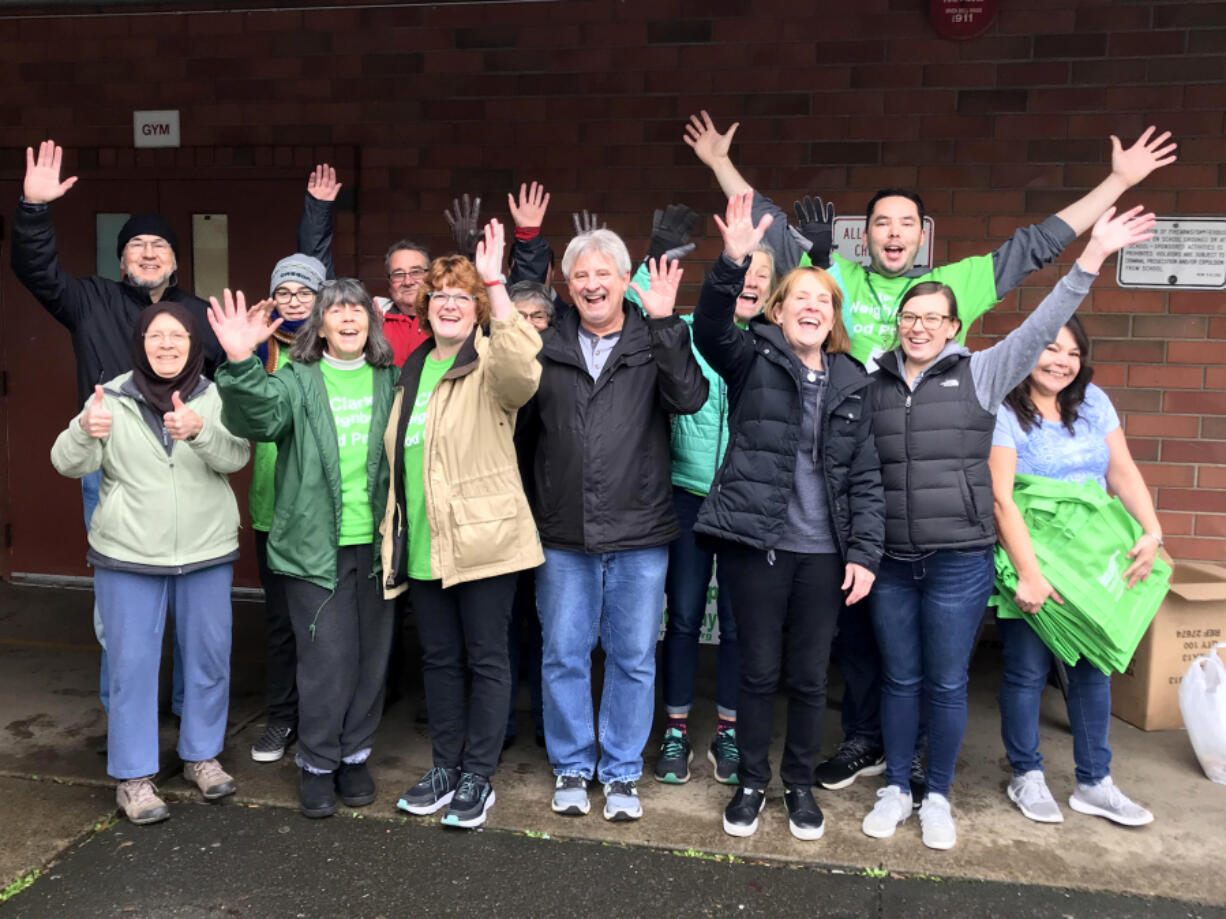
935 409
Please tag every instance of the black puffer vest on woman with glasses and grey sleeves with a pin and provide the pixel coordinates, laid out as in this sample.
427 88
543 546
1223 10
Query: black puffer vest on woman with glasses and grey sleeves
935 445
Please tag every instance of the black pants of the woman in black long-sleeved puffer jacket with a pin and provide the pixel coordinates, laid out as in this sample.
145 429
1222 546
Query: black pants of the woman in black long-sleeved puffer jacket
786 617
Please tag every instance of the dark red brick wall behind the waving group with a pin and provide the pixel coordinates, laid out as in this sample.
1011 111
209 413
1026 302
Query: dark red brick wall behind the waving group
590 97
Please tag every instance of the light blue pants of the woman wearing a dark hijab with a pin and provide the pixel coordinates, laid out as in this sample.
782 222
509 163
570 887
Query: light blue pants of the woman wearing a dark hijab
133 610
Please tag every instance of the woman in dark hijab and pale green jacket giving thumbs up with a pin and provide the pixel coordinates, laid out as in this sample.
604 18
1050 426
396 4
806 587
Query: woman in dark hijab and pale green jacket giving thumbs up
166 529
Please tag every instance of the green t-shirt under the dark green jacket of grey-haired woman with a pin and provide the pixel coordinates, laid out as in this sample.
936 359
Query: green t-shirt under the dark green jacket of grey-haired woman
351 396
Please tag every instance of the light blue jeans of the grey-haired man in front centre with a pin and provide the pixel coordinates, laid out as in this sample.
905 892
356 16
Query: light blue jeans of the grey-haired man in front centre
617 599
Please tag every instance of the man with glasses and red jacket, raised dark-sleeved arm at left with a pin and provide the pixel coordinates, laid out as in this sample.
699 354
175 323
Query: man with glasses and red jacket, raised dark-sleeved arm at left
405 263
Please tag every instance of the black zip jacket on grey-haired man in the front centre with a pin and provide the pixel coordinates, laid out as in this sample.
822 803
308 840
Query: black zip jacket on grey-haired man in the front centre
601 464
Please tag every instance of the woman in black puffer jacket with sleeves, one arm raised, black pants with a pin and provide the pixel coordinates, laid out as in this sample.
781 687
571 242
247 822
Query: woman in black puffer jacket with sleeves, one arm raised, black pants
798 503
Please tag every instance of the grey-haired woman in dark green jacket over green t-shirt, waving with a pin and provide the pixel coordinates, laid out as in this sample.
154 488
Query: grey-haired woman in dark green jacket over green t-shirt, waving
327 412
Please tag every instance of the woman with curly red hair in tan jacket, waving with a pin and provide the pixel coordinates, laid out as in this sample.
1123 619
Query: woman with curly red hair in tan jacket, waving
458 526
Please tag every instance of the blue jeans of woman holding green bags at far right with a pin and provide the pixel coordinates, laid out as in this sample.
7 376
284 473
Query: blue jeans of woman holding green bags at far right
1027 665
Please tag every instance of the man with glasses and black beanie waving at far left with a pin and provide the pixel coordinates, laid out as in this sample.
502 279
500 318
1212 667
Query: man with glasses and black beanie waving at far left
100 313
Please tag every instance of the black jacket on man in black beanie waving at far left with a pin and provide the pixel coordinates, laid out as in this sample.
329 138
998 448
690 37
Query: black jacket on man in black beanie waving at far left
99 312
